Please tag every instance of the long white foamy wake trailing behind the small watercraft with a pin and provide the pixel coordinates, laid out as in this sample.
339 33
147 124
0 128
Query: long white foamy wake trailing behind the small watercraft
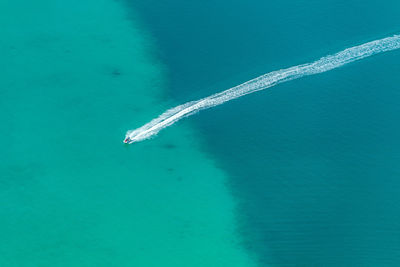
324 64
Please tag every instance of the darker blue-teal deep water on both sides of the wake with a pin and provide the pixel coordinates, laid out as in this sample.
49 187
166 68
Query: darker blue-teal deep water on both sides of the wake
313 163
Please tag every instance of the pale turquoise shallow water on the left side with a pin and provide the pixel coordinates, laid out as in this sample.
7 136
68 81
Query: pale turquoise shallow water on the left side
75 76
